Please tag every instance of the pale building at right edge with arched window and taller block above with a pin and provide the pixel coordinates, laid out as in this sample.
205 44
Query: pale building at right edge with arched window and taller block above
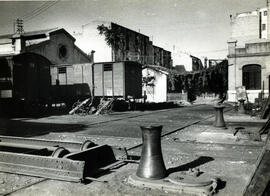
249 54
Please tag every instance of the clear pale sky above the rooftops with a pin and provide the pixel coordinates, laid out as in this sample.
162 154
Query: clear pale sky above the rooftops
197 27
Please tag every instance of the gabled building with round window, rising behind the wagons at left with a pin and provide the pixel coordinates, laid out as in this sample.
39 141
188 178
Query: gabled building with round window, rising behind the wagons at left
57 45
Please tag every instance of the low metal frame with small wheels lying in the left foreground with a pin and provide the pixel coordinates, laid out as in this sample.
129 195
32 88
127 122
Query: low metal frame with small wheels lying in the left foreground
58 160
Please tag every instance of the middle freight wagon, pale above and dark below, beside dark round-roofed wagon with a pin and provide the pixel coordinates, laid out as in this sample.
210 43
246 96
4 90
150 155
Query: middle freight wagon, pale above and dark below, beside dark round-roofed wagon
71 83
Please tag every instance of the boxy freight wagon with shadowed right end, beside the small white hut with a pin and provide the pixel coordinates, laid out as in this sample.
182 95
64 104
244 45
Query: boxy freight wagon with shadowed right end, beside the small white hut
117 79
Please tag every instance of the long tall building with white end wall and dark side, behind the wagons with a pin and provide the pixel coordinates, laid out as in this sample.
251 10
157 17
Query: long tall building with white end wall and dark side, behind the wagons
131 46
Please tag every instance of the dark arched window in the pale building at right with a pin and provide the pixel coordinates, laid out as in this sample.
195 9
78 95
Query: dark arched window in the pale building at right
252 77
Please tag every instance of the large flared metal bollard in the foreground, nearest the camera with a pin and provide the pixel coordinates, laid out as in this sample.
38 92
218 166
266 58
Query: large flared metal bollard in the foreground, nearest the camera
151 163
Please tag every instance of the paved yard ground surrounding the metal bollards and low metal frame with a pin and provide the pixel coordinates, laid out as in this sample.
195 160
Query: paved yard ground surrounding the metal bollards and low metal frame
193 142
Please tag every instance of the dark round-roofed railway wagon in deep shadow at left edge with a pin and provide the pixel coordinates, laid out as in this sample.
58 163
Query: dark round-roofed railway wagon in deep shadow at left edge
25 82
